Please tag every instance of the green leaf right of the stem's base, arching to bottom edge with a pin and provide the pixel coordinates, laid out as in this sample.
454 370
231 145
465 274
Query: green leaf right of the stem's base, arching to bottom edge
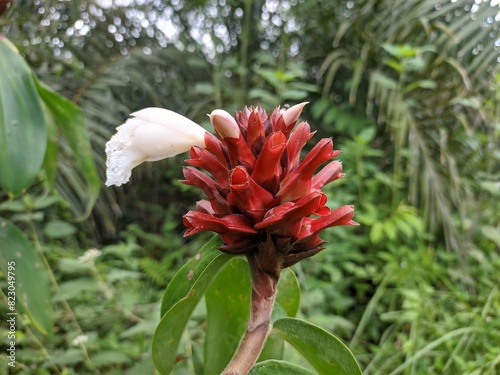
325 352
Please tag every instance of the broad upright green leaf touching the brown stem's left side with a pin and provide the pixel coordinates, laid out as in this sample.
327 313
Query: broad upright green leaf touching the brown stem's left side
228 310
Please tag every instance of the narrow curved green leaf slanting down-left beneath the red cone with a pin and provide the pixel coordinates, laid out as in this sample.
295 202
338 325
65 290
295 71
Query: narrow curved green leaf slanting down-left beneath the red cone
181 297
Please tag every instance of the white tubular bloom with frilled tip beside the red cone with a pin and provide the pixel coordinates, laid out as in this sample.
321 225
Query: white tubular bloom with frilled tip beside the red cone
151 134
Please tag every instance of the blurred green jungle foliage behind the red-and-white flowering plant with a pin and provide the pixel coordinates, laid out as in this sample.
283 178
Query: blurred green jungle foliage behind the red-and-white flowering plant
409 90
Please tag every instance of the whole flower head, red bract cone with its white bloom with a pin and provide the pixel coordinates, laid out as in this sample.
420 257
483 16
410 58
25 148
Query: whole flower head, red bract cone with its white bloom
259 190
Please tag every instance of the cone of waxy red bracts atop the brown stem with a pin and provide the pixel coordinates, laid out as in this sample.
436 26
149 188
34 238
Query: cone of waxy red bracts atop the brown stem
259 190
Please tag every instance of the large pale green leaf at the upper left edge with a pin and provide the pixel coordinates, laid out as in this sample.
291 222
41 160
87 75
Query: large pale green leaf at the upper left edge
23 134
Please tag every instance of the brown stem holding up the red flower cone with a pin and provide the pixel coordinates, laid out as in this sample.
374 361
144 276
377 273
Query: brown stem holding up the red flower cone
265 267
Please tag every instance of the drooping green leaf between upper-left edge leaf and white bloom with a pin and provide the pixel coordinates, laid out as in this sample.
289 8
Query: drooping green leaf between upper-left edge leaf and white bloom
71 121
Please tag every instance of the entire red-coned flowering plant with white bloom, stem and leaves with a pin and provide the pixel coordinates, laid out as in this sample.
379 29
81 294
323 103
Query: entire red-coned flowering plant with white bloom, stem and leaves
266 204
